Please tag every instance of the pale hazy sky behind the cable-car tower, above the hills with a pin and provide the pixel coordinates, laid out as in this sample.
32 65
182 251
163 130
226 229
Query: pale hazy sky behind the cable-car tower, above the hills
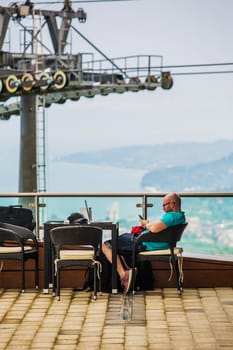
197 108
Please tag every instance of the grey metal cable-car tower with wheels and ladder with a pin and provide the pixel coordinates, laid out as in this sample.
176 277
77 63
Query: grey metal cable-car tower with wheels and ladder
43 79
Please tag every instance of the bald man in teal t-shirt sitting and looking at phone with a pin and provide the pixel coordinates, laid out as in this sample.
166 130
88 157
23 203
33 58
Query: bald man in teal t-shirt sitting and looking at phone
173 216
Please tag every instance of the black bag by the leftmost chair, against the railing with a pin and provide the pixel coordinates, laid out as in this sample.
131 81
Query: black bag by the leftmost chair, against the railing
17 215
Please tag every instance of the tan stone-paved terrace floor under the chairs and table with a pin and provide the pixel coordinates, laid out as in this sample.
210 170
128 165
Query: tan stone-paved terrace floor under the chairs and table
160 319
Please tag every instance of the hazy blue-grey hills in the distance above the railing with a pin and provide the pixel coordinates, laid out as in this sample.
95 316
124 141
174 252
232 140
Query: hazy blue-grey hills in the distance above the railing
181 167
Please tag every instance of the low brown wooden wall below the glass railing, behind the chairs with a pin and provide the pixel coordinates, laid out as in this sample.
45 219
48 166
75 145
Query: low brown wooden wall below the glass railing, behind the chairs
199 272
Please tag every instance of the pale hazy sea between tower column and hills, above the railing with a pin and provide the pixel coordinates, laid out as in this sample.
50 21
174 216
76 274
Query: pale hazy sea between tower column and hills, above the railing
70 177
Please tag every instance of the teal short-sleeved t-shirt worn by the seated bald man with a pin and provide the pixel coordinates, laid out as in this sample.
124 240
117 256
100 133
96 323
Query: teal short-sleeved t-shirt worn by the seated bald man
171 218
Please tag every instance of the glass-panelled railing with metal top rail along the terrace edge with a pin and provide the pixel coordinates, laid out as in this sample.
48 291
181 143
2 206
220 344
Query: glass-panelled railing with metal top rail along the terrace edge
210 229
